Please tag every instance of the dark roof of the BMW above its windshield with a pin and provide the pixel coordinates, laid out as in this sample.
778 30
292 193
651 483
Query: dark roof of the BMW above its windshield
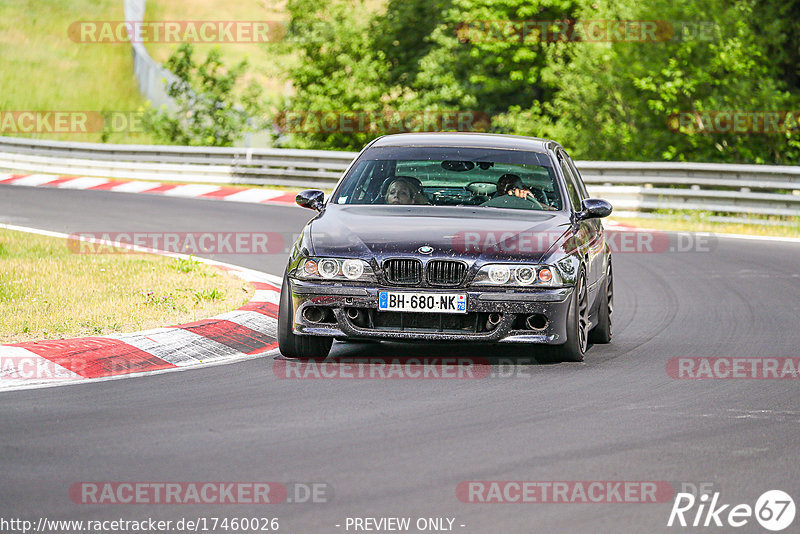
466 140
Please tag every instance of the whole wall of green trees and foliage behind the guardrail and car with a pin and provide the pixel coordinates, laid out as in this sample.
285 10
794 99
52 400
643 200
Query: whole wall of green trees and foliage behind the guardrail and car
615 99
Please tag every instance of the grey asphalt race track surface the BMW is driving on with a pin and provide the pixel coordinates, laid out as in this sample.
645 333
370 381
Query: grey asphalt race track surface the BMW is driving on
399 448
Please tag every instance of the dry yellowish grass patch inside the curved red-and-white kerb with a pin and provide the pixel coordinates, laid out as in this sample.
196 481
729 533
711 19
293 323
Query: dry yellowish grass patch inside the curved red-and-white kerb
48 292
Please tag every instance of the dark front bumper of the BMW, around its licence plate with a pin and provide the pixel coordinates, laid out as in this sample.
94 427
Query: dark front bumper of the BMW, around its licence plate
334 301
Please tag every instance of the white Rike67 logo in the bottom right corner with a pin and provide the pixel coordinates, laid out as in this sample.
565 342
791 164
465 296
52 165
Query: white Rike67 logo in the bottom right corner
774 510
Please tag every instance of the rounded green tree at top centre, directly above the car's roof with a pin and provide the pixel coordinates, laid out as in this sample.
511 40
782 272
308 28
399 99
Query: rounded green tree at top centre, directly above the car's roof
485 59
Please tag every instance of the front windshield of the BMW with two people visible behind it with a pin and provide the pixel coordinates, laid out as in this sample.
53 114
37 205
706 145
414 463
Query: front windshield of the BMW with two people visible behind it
436 176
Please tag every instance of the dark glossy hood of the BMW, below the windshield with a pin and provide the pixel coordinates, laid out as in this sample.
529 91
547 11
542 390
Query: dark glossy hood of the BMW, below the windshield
467 233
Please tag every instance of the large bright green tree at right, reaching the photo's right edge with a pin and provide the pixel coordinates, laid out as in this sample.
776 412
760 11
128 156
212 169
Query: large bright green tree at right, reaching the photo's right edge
619 100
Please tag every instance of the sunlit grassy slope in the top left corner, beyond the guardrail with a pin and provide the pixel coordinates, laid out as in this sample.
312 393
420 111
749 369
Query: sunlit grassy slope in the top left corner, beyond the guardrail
42 69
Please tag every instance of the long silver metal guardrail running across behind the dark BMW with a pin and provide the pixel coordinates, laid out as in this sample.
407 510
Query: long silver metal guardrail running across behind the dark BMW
630 186
